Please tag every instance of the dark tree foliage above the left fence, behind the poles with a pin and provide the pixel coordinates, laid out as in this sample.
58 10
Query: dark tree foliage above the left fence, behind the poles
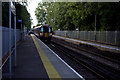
21 13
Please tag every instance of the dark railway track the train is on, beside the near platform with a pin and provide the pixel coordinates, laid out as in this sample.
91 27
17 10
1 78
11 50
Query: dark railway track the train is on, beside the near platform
98 70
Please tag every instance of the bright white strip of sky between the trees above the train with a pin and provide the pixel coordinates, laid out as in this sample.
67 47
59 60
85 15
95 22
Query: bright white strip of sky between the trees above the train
32 5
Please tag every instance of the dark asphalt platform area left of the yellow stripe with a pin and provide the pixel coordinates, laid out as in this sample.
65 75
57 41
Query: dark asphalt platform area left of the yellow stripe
29 64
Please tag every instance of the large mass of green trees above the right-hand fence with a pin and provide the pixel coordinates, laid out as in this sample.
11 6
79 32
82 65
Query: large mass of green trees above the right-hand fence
72 15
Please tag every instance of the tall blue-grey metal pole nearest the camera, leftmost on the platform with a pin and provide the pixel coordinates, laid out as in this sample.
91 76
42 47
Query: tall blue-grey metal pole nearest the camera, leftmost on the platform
10 66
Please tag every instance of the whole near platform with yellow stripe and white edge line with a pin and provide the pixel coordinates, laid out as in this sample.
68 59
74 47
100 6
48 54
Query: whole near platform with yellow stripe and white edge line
35 60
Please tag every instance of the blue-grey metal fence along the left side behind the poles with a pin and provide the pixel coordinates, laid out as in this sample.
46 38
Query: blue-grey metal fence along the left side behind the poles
5 39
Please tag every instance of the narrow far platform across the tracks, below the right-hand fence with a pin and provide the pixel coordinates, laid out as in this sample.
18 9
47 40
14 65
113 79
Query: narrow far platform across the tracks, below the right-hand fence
98 45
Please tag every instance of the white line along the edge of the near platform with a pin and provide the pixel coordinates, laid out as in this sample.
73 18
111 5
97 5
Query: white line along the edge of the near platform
64 62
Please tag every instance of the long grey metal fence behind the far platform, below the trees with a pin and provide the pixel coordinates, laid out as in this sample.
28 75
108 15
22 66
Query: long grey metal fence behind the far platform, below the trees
109 37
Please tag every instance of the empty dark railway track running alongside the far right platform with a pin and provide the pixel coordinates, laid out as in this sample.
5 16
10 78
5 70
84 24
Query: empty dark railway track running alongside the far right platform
111 56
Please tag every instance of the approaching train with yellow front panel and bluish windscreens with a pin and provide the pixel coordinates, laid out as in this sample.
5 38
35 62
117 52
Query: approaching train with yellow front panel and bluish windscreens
44 32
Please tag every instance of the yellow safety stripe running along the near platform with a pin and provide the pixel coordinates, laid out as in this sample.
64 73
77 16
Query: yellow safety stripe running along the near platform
51 71
